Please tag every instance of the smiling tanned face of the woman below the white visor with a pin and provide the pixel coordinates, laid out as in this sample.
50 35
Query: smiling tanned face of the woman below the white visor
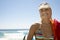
45 12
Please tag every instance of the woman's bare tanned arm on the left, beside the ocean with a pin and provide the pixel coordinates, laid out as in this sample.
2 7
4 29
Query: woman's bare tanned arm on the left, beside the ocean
32 31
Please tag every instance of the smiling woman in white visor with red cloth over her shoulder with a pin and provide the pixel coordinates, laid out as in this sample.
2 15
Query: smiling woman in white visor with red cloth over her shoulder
46 30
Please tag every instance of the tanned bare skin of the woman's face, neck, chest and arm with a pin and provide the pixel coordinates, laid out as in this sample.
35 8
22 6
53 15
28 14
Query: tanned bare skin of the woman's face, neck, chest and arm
45 14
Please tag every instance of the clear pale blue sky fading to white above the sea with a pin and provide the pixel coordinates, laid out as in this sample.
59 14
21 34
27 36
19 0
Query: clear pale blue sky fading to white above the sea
21 14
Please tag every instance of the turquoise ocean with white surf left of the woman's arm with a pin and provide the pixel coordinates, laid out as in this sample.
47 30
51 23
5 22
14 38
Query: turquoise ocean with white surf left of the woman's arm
13 34
